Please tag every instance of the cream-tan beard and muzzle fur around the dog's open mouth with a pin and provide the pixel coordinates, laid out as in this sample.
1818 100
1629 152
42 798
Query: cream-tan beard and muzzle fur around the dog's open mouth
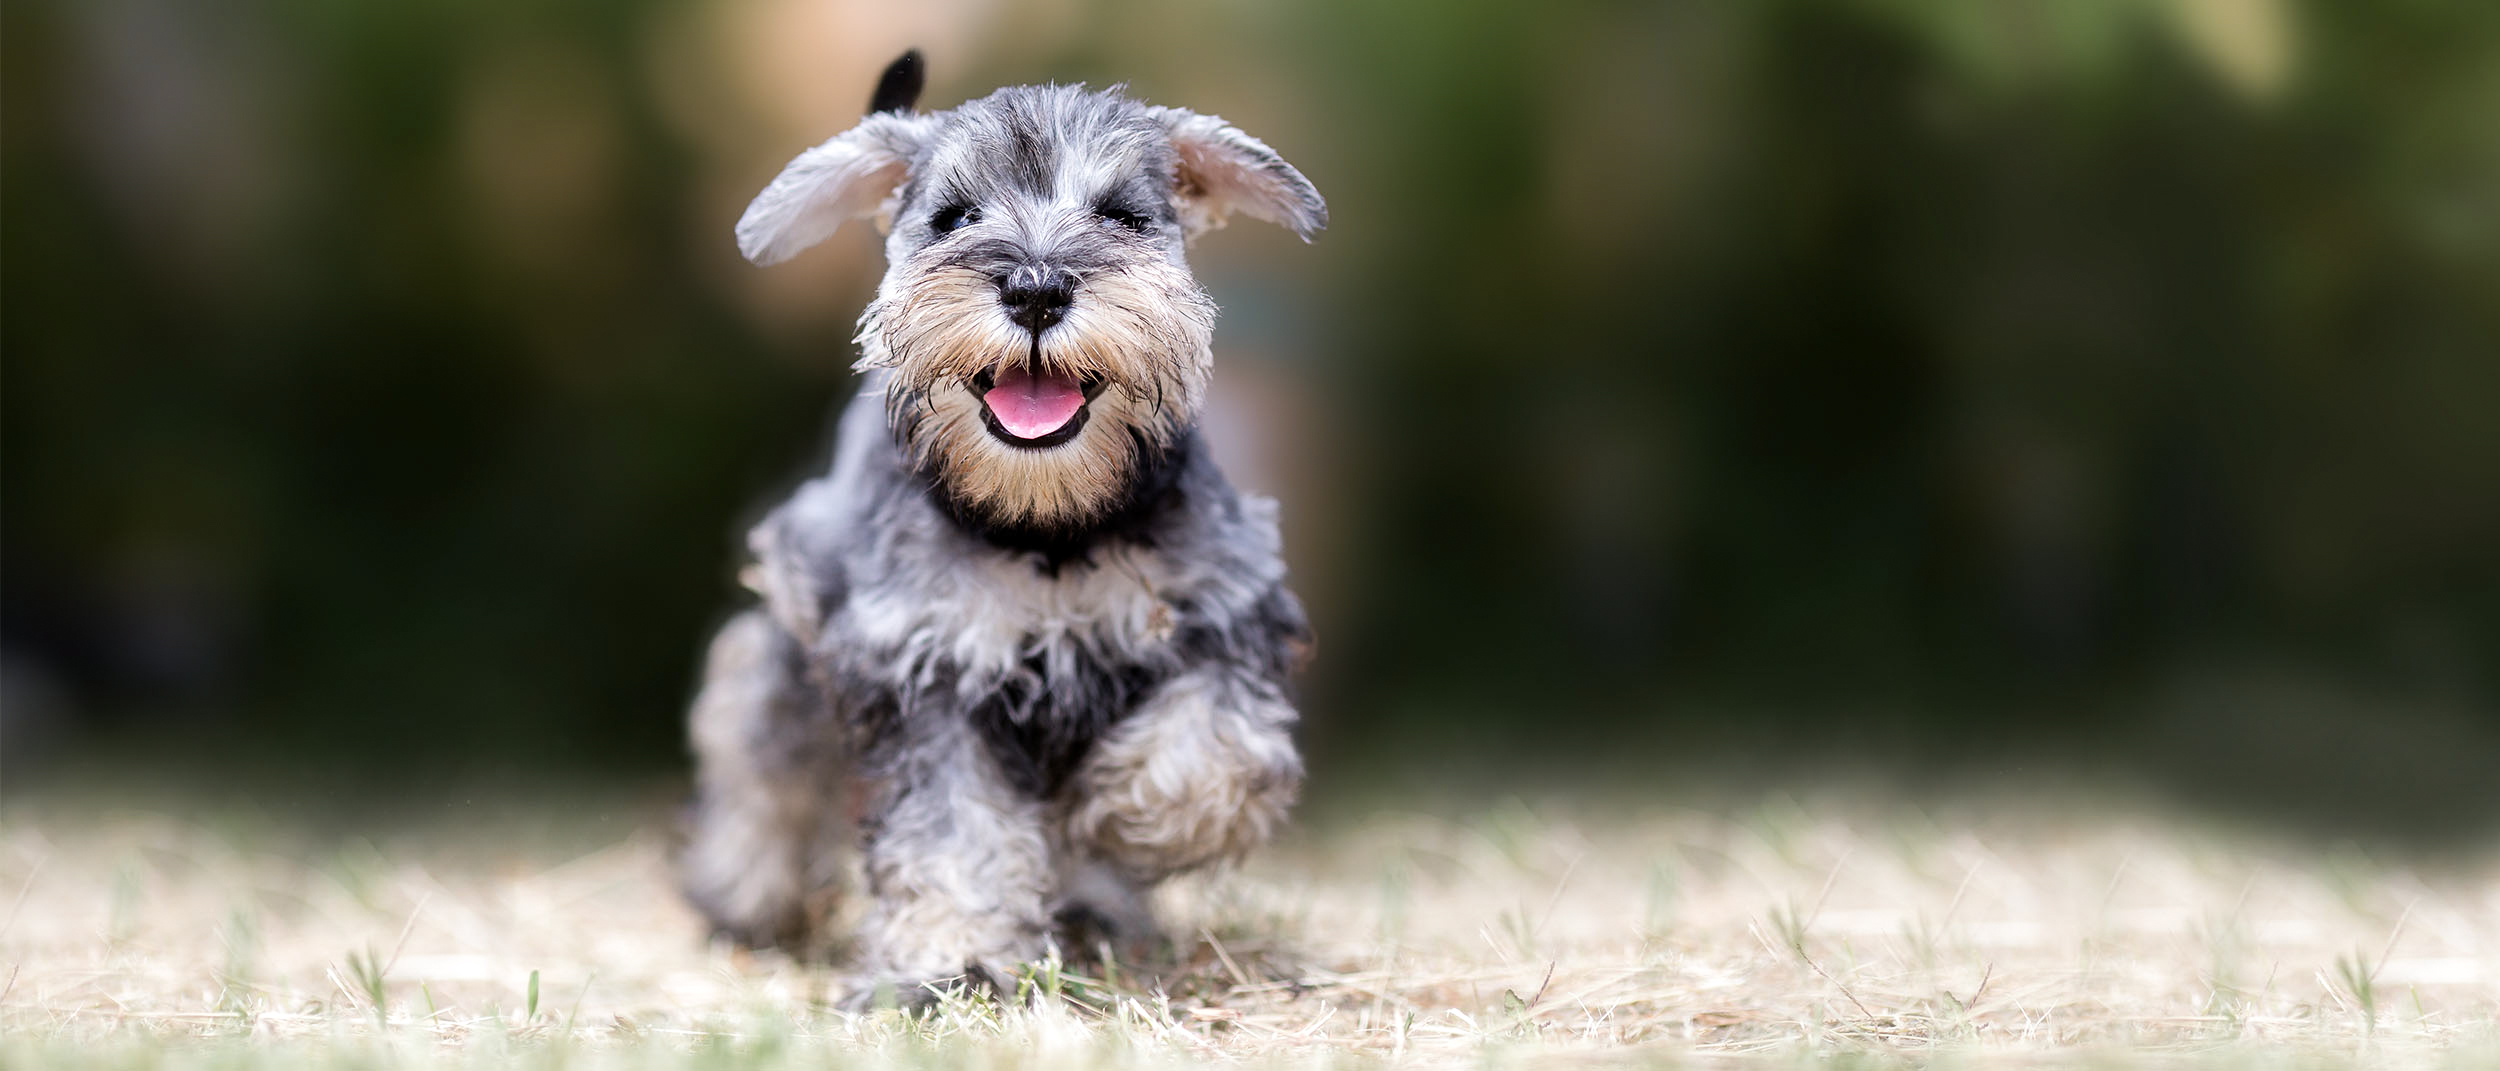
1139 332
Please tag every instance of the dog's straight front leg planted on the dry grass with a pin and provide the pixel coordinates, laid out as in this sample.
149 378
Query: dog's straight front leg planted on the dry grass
959 867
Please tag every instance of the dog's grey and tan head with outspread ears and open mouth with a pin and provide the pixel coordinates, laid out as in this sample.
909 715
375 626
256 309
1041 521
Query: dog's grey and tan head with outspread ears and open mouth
1039 314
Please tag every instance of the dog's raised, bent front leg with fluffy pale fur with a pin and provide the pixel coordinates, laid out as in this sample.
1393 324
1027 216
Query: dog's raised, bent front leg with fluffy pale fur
1201 772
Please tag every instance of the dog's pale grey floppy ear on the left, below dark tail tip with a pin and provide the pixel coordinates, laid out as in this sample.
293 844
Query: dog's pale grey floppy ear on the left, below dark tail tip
831 184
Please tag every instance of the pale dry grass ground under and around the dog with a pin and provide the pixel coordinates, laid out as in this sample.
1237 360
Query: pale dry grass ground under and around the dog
1506 937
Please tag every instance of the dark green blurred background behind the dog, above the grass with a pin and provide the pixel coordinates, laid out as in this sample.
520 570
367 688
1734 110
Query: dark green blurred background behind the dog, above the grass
1684 394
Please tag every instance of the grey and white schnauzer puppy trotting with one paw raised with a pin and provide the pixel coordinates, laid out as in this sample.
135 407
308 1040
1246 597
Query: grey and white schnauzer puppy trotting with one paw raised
1024 649
